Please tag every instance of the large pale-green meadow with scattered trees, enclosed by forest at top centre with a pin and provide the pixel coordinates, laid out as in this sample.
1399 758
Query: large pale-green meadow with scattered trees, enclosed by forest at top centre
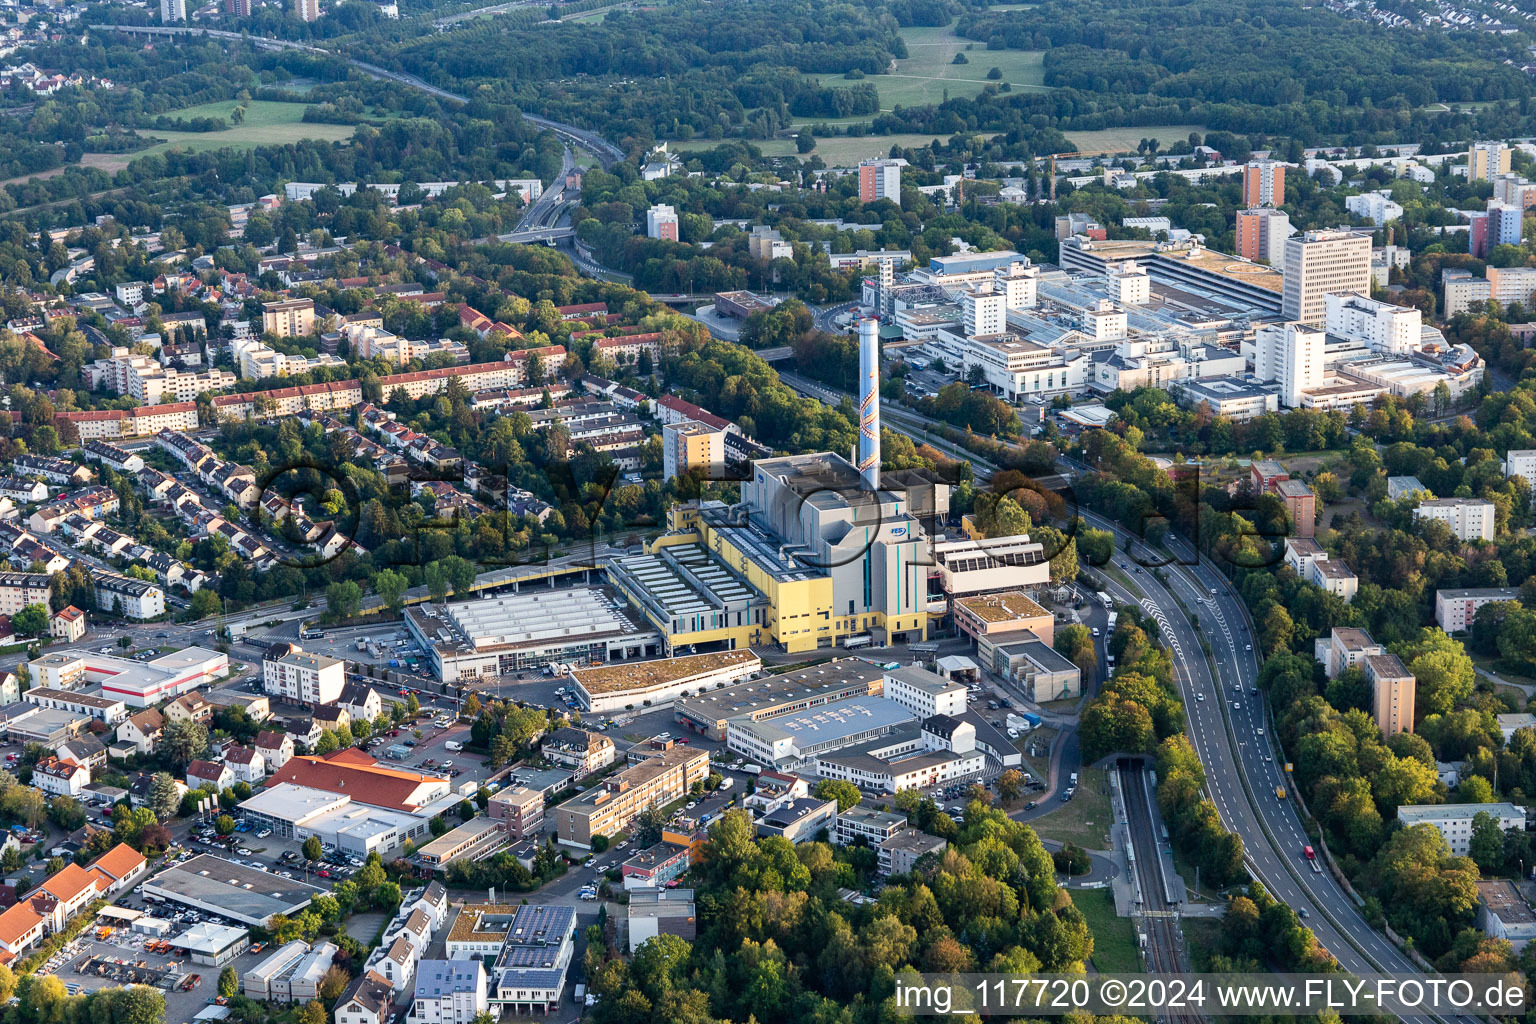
929 73
